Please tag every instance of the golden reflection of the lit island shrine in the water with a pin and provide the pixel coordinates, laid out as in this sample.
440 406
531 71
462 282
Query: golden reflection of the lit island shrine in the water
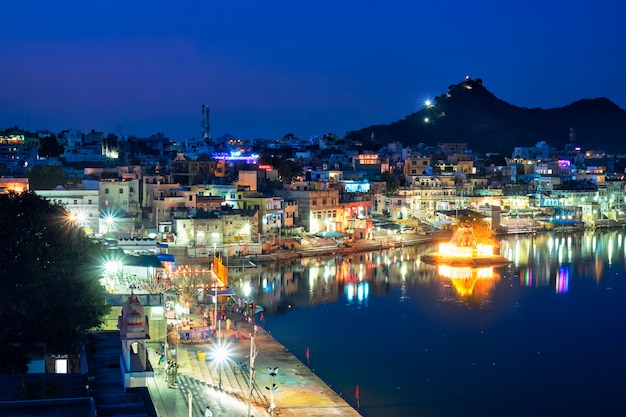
471 284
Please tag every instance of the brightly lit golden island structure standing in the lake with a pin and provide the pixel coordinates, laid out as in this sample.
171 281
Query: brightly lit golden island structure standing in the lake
463 249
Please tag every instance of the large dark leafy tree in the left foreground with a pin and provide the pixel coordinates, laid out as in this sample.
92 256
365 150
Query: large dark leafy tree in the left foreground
50 294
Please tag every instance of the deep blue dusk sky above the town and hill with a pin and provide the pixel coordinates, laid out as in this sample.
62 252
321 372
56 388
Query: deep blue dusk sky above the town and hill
267 68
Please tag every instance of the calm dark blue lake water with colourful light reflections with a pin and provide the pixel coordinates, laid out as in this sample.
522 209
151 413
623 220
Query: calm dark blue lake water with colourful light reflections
544 336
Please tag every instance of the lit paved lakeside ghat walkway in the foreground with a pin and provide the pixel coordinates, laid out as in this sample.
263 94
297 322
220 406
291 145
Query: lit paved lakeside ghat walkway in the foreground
299 392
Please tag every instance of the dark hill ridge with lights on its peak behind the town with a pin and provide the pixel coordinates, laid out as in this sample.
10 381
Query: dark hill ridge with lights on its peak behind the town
469 113
